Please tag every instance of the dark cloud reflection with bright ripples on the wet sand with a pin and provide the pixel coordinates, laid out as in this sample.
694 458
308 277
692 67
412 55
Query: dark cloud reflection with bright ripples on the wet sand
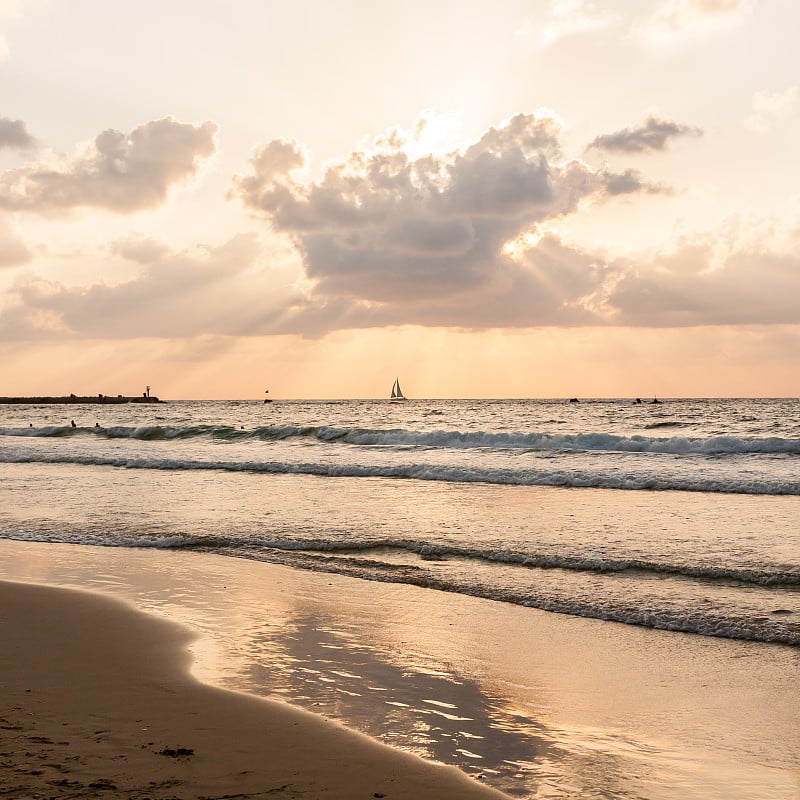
438 715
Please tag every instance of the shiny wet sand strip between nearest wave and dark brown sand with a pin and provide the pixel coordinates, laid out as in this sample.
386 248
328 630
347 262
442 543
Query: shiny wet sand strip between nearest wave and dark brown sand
535 703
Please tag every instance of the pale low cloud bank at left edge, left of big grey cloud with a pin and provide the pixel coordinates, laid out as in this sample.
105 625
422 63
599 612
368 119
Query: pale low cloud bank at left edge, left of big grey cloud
224 290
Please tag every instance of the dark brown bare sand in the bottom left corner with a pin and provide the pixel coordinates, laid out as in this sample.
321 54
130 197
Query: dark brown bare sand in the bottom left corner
98 698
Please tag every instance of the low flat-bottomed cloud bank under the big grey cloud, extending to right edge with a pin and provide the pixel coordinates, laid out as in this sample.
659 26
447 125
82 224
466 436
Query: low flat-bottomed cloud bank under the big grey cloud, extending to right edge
702 282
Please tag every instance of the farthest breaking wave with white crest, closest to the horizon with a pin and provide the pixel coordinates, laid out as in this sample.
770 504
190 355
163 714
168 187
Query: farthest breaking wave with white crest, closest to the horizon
399 437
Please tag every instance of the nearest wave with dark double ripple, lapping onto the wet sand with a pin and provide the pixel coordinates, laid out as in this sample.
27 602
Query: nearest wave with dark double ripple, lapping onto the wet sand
363 560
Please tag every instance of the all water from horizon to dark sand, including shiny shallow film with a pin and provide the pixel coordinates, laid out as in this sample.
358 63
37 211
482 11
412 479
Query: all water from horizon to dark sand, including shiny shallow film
681 516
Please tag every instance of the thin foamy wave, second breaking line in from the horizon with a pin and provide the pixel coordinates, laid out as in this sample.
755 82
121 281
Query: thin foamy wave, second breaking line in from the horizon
610 478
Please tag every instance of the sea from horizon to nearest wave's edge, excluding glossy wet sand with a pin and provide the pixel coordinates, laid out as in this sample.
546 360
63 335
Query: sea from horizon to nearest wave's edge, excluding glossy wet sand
682 515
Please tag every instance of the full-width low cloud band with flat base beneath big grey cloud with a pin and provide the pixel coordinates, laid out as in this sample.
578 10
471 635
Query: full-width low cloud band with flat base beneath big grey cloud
232 291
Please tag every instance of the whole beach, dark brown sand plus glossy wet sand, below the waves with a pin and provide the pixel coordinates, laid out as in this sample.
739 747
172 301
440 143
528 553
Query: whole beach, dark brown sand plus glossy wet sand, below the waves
536 704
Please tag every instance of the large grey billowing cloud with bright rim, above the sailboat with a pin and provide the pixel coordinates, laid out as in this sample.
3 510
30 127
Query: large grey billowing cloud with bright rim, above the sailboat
379 227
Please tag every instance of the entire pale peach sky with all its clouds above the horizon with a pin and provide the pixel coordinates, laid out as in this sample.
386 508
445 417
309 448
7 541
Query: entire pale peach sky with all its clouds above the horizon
541 198
